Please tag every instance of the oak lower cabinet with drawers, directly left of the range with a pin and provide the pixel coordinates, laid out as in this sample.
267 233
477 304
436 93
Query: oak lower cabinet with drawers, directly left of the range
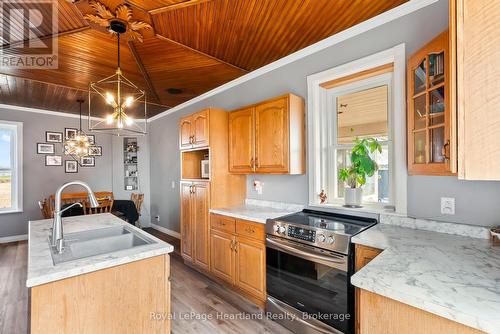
238 255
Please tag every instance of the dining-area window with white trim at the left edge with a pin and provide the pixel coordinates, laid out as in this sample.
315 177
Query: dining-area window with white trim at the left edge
10 166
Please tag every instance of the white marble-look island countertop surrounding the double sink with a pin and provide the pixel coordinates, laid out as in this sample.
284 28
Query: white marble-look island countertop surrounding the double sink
42 270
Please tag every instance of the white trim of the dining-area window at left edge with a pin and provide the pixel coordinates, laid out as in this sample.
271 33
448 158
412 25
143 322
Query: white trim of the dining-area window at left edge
17 169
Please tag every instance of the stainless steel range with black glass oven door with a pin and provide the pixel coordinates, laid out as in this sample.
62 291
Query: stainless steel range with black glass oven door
309 261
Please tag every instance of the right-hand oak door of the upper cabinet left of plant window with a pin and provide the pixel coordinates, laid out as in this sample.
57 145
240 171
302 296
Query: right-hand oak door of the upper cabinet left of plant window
271 136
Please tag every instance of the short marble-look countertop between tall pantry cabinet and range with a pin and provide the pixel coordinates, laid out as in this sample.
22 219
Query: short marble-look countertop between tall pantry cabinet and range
258 211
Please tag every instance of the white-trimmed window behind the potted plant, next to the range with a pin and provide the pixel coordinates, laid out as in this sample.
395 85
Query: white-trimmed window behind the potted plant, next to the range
364 98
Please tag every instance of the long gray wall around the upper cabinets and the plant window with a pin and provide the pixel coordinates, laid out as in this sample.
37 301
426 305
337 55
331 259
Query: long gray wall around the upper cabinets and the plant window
476 201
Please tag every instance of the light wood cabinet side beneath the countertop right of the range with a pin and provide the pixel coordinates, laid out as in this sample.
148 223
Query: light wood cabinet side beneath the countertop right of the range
381 315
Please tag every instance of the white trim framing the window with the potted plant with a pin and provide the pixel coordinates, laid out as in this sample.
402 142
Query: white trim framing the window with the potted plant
317 99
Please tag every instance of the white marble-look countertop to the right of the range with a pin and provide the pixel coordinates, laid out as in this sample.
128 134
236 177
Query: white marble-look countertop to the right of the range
455 277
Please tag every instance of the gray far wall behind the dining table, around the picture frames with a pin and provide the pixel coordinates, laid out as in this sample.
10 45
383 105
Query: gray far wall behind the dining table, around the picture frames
40 181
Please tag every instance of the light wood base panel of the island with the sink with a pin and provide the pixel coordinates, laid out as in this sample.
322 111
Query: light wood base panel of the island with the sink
129 298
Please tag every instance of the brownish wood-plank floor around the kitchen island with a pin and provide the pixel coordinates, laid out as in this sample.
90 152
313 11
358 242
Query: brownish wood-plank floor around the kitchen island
199 305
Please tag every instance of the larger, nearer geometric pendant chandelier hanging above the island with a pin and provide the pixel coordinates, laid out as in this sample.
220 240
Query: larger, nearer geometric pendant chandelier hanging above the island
122 101
